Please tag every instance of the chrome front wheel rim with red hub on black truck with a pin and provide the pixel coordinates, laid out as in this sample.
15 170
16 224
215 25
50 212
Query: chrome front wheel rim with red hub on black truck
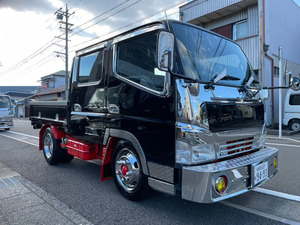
127 169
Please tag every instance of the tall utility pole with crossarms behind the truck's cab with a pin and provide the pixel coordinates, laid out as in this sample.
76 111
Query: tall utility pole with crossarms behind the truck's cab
60 15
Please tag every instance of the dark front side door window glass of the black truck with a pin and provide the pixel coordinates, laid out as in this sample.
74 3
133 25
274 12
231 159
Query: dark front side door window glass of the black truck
137 62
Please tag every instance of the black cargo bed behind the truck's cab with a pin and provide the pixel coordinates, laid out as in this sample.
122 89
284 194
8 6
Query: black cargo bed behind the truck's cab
54 112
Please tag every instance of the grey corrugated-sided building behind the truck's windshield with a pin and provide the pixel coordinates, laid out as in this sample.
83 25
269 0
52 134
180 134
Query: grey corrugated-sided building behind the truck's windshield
259 27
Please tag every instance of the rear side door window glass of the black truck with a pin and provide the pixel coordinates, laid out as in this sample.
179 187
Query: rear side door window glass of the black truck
90 67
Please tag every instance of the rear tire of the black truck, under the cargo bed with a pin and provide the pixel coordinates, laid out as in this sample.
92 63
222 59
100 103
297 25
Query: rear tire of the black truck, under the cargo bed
52 150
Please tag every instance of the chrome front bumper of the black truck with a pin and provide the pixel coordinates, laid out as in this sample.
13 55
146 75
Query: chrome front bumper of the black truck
198 182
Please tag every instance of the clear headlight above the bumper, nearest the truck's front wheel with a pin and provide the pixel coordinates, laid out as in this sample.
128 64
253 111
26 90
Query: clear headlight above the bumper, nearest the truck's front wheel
190 149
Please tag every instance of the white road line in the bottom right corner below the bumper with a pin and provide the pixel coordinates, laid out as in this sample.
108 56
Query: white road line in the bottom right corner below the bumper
259 213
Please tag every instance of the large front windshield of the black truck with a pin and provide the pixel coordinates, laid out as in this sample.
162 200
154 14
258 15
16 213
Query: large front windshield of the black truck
210 58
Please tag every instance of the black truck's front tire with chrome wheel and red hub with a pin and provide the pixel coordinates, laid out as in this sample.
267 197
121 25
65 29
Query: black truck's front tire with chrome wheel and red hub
133 186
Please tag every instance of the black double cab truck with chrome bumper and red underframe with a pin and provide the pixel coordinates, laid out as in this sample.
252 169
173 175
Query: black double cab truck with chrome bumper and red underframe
167 105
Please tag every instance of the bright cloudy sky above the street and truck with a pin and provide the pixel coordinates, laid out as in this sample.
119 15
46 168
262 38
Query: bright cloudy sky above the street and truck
28 29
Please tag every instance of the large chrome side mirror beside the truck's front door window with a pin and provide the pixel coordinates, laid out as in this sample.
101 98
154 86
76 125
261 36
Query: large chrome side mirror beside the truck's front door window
165 50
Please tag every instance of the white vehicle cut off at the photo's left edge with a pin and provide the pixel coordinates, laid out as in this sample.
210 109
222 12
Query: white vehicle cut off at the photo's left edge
6 113
